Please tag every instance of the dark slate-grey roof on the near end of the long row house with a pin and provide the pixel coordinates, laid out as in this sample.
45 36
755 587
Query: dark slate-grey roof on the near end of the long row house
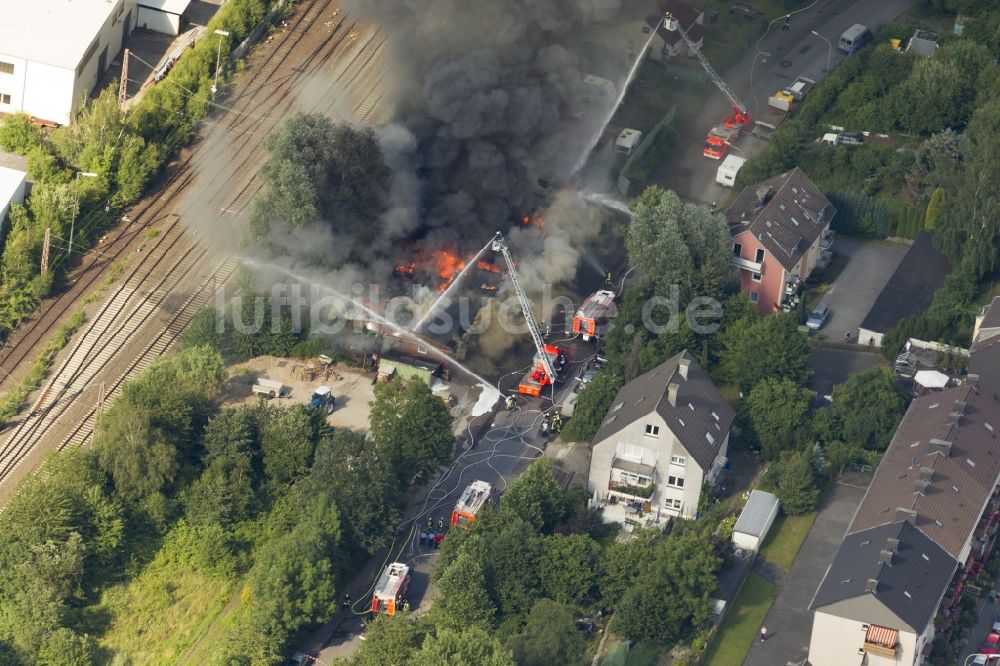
898 566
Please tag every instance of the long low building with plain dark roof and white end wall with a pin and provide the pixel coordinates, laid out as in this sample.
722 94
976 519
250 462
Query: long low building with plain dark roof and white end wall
908 292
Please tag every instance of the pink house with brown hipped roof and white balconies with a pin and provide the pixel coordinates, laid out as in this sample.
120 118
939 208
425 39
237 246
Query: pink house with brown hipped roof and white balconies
778 227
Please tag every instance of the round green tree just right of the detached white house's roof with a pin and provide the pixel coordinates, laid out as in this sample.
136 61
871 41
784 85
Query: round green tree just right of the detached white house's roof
779 412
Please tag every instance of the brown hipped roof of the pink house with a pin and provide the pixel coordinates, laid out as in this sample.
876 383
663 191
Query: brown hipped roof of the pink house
786 213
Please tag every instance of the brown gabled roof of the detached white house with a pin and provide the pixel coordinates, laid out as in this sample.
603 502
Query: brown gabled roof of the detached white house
699 418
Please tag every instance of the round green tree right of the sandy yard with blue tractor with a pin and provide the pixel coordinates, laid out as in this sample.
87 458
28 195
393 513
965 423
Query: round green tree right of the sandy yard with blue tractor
411 429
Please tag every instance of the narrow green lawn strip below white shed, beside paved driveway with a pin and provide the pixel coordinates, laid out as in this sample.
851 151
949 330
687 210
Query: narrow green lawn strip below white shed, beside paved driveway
742 622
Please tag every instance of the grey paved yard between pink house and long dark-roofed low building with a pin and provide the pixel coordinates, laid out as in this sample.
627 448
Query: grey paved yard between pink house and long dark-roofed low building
852 294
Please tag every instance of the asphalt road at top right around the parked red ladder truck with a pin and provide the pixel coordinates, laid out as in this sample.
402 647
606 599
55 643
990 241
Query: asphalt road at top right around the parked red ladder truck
784 55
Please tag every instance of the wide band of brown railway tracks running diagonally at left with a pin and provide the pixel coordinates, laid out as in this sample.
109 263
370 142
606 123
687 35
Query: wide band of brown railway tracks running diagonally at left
100 363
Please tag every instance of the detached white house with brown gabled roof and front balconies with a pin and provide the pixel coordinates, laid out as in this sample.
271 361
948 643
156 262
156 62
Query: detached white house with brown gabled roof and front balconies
665 436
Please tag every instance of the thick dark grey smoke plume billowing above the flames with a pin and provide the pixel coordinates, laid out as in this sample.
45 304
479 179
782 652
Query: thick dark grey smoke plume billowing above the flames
491 97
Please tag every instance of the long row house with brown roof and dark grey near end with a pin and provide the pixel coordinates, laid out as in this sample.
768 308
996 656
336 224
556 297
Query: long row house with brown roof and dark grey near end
928 520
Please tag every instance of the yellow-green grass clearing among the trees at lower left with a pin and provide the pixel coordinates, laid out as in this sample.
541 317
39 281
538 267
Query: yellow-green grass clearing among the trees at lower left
159 615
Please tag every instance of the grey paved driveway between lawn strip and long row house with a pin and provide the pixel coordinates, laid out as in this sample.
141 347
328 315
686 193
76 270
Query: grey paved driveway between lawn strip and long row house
789 623
